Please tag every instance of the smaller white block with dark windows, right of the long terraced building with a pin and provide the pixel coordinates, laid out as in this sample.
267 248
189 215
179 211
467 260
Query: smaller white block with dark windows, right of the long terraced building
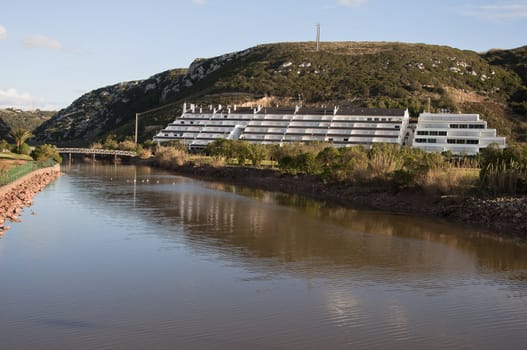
458 133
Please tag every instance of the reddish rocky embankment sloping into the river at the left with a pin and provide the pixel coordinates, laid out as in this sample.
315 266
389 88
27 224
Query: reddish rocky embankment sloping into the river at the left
19 194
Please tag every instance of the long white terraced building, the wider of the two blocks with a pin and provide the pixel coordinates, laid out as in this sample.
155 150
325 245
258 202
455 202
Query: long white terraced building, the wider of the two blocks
197 126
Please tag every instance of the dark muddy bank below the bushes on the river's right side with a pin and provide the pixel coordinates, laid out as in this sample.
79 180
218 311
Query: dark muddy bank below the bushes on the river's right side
505 215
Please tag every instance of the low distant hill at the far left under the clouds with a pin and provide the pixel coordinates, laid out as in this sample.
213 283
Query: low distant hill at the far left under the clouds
11 118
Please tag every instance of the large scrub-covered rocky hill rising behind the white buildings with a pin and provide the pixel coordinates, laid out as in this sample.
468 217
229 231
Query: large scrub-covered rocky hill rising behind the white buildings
365 74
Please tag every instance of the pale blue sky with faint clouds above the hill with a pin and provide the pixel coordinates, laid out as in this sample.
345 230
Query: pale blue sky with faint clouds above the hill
53 51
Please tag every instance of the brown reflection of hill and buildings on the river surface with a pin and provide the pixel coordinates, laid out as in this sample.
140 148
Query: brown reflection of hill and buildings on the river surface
310 236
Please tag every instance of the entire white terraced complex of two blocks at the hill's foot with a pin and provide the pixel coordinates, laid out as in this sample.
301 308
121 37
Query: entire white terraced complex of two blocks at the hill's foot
434 132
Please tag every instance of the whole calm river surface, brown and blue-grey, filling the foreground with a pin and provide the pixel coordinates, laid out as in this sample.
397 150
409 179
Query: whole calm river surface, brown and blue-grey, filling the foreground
164 262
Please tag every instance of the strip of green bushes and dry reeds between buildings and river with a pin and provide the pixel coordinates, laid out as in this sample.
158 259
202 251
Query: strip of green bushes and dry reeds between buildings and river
495 171
